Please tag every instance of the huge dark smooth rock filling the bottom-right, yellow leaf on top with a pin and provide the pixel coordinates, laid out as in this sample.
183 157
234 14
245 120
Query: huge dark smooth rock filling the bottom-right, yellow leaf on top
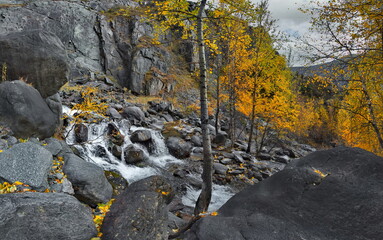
333 194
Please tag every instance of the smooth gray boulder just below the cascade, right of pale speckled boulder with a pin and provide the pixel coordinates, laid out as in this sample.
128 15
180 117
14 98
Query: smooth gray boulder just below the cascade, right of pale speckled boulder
88 180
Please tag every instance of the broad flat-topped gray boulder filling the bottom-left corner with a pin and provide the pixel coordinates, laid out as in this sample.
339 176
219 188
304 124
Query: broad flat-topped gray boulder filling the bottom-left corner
37 216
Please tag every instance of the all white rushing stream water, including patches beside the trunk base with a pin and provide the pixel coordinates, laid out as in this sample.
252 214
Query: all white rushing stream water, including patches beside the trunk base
159 159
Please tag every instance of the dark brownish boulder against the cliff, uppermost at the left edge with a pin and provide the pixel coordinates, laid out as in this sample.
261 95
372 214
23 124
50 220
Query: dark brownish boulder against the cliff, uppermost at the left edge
37 56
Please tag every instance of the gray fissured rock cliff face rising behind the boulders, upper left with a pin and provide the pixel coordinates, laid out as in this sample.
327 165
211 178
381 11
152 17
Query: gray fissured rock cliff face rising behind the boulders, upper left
94 43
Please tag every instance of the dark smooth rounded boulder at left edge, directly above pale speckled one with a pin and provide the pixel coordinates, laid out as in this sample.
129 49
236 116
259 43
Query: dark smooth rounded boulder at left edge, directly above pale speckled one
24 111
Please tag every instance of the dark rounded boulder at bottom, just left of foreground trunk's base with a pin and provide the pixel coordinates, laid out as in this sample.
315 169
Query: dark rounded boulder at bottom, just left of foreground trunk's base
140 212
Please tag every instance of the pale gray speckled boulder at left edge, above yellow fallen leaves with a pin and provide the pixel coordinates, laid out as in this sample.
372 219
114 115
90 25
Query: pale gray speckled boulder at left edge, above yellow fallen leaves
28 163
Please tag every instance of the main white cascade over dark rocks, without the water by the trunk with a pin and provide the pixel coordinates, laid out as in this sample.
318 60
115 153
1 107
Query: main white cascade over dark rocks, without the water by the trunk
96 150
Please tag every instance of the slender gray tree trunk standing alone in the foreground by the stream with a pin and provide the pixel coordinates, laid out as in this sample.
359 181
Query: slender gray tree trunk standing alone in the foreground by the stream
205 196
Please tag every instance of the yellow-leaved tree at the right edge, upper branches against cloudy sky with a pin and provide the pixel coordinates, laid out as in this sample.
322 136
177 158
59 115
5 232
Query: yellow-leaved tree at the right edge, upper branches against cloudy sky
353 33
